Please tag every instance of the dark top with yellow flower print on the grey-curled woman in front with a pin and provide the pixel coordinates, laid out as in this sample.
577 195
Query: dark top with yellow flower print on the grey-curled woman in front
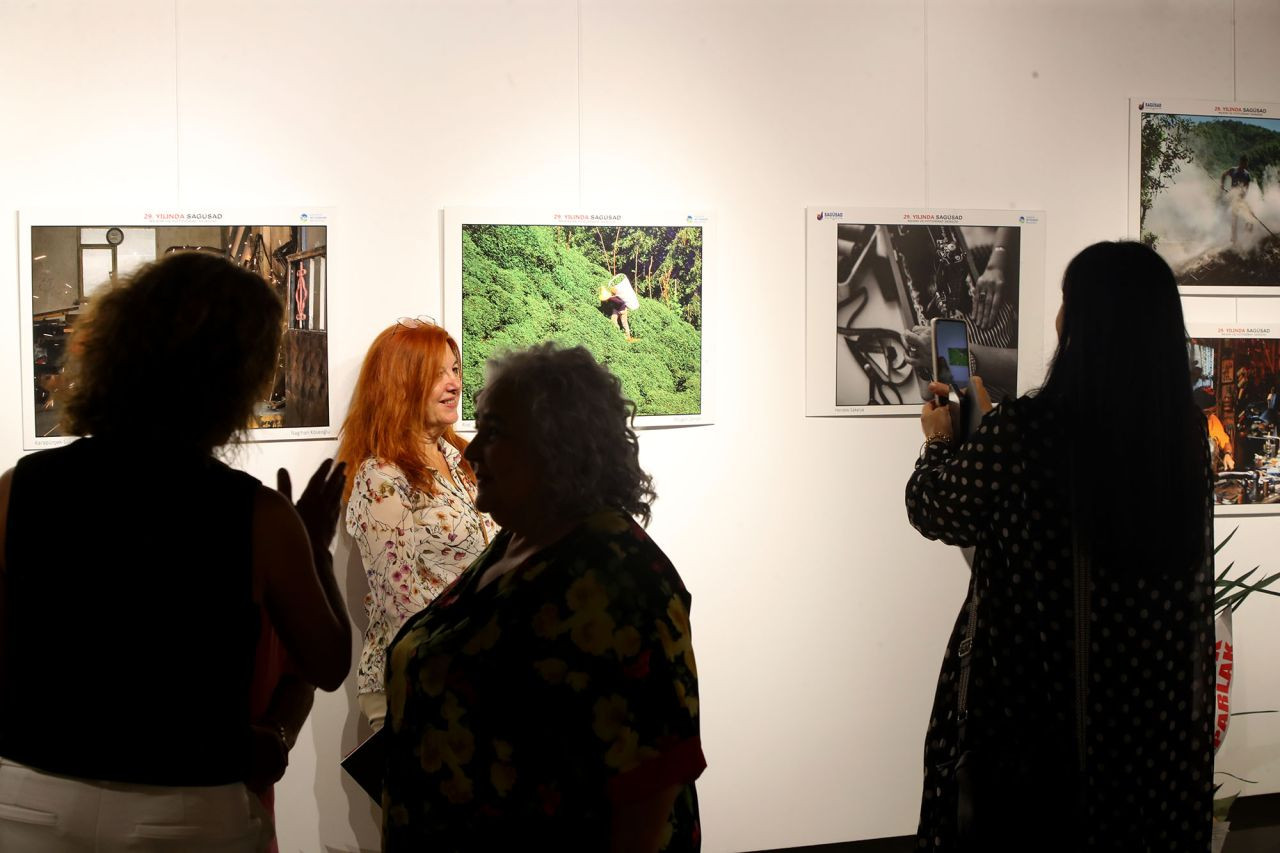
522 714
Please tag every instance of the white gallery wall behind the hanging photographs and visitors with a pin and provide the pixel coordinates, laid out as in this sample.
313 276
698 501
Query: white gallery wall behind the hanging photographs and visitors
820 615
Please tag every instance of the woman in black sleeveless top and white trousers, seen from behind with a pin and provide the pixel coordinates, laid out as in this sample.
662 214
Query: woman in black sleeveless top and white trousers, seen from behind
132 569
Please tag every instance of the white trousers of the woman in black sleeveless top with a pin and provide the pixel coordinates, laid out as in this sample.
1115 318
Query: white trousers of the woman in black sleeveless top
45 814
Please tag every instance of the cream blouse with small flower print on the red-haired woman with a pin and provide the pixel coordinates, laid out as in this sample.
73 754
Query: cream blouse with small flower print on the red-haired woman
413 545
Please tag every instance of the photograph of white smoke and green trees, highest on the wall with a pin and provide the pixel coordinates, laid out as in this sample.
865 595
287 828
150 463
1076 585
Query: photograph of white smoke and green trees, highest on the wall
1208 191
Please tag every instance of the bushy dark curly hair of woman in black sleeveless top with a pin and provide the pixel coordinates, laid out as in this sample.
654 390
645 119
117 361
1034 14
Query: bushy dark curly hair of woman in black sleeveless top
193 330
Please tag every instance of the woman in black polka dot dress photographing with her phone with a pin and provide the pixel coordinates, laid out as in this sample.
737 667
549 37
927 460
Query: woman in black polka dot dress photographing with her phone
1117 422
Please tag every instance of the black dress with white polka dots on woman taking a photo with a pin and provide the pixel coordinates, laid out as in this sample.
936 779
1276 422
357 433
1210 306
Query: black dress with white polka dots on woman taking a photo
1149 779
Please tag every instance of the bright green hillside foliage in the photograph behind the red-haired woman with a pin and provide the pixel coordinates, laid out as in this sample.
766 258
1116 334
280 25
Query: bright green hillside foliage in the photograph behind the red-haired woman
523 285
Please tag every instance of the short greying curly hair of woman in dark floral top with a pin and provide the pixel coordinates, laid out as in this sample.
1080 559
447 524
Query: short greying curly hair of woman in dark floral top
580 428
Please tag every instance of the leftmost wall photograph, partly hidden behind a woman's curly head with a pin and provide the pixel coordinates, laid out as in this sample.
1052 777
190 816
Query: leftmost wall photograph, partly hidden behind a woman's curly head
72 264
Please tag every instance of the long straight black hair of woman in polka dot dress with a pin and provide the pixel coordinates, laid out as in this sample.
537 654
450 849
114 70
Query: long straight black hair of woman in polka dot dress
1136 439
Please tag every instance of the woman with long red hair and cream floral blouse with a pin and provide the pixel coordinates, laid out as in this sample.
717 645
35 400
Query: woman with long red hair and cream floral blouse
412 498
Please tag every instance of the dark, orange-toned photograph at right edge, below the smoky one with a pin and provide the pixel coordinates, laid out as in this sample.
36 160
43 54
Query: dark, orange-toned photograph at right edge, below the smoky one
1236 384
